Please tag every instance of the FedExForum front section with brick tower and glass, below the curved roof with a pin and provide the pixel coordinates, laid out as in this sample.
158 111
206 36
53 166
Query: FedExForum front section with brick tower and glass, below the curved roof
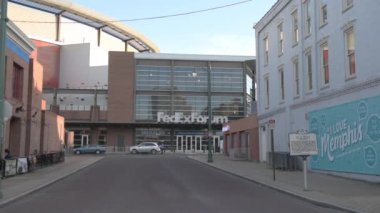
158 97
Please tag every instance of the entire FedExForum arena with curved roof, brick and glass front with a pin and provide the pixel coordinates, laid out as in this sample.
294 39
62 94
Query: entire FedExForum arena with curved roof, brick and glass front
113 88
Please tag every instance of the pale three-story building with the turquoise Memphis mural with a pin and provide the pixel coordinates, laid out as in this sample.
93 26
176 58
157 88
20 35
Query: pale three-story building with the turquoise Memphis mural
317 70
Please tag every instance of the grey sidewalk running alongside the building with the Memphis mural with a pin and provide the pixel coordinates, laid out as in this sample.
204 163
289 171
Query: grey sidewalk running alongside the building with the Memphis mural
323 189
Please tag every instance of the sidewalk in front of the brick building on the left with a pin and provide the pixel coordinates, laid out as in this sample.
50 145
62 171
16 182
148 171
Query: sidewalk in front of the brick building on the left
21 185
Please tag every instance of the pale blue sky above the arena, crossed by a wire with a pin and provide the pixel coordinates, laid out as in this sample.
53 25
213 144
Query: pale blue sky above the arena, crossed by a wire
225 31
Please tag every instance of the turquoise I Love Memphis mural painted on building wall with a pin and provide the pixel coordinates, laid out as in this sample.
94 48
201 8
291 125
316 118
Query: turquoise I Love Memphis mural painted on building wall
348 137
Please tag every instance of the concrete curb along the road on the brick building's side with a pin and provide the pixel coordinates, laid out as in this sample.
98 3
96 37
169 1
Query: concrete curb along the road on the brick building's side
39 187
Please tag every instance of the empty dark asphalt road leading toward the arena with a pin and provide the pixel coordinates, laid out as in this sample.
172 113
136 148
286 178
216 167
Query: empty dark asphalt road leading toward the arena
157 184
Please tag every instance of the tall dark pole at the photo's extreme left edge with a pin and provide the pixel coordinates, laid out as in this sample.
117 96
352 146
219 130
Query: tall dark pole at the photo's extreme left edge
3 34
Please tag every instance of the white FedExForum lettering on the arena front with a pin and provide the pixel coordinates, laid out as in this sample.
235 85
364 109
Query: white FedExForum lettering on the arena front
179 118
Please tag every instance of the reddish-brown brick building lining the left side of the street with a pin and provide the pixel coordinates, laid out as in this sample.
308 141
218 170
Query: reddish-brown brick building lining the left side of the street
29 128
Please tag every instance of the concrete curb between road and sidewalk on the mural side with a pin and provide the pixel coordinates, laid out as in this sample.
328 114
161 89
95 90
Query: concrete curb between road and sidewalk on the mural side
294 194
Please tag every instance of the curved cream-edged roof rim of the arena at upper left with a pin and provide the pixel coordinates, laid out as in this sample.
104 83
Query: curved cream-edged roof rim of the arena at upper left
93 19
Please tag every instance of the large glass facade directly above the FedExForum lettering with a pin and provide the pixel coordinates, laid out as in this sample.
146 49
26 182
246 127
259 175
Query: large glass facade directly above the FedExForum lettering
172 86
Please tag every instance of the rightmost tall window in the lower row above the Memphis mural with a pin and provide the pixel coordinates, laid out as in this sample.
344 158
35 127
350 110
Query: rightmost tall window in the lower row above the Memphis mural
350 52
